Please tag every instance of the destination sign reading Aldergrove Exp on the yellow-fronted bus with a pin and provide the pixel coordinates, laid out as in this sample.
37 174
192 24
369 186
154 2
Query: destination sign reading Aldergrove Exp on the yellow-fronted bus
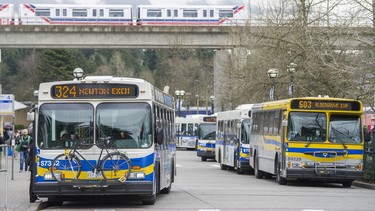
325 105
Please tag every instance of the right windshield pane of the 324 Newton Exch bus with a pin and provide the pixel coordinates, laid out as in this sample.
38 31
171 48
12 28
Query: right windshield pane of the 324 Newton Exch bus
128 124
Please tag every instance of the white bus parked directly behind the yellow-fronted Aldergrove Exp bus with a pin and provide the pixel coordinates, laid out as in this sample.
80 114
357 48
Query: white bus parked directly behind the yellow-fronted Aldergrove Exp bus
232 139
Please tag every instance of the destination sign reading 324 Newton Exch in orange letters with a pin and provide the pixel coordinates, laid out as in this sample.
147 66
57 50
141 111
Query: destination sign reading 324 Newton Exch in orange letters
84 91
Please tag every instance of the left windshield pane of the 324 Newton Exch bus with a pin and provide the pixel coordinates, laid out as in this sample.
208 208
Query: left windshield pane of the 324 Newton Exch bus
58 123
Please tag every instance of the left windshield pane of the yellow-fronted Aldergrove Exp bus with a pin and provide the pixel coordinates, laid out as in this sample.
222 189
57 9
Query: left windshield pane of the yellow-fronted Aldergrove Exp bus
304 126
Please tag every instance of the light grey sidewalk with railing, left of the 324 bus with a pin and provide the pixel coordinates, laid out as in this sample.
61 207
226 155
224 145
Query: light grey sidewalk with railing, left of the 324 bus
18 188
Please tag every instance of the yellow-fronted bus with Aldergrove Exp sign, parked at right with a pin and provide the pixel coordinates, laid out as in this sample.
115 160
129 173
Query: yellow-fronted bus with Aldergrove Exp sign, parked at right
314 138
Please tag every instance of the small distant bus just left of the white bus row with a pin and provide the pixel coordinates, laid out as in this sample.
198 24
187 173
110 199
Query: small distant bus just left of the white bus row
206 137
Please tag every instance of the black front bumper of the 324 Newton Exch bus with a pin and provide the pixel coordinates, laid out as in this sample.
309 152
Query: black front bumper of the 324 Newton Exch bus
49 189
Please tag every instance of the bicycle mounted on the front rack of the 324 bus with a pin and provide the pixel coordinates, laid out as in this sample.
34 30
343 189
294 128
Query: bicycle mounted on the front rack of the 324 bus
114 165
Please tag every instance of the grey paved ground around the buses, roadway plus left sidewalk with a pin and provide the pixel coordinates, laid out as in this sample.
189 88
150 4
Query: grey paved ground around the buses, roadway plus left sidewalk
202 186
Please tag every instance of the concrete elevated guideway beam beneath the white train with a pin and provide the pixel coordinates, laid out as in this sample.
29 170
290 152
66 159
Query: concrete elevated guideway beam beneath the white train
208 37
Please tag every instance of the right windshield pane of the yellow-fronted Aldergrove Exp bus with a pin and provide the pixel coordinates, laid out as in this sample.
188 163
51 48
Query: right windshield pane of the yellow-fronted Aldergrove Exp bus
344 129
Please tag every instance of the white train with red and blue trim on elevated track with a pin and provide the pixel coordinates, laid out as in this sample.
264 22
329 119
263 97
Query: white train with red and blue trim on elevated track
141 15
